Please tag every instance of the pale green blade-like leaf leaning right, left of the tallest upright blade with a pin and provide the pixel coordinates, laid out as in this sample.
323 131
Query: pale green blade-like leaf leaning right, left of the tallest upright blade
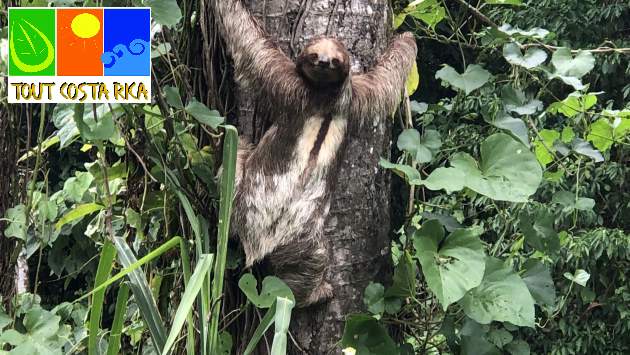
188 299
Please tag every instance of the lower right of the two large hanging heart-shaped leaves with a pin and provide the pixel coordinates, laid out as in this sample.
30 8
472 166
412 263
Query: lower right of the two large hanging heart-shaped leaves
502 296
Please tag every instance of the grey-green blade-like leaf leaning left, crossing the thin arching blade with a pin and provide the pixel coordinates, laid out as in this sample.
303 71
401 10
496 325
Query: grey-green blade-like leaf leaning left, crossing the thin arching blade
142 293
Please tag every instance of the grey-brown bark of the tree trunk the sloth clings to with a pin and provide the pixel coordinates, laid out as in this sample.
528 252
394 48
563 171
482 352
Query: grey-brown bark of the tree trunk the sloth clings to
358 227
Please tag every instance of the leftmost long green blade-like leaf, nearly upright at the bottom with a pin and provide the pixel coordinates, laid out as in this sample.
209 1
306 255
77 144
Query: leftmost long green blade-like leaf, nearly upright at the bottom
105 265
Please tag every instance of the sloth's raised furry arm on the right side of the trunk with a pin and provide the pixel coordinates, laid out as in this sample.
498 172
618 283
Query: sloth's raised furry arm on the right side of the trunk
377 93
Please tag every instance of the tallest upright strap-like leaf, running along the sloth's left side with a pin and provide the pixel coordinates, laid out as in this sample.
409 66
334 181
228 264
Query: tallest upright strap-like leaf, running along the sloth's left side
225 210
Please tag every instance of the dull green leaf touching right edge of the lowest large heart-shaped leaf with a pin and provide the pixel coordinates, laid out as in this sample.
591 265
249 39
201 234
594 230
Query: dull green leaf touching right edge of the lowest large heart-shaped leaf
539 282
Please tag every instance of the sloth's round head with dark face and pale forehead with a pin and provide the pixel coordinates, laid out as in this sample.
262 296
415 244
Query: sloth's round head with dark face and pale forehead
324 62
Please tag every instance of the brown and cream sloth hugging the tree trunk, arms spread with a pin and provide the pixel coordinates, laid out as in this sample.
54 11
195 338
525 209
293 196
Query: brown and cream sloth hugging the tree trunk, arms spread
284 183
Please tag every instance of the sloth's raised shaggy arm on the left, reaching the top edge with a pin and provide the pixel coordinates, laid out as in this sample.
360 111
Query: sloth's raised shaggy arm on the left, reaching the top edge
259 64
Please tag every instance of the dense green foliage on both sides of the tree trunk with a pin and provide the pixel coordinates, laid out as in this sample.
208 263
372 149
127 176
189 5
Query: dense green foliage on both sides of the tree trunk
514 160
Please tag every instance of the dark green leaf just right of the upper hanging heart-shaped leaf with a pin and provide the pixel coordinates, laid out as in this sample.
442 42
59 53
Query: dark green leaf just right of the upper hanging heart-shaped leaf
537 227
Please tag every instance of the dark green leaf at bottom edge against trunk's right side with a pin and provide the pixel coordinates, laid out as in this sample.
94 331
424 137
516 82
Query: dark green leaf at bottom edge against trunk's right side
367 336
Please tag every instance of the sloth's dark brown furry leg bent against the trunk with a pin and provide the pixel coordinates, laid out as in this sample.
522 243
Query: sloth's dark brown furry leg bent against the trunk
302 266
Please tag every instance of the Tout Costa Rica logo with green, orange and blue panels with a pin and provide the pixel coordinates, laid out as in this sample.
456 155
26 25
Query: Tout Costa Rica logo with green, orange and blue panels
79 55
